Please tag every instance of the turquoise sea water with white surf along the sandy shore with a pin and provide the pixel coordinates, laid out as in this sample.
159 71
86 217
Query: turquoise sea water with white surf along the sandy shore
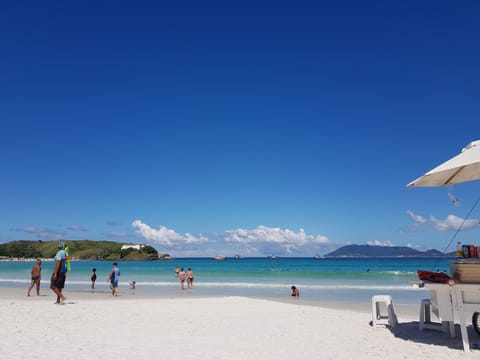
317 279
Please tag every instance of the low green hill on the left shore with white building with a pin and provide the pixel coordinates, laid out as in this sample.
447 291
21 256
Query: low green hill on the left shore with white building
79 249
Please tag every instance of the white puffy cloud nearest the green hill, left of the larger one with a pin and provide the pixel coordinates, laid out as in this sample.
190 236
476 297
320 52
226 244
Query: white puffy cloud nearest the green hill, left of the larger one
166 237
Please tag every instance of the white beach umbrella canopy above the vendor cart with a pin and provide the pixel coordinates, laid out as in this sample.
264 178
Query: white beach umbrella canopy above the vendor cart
461 168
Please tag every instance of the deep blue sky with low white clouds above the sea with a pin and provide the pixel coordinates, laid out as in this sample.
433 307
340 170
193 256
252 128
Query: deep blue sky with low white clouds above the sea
207 128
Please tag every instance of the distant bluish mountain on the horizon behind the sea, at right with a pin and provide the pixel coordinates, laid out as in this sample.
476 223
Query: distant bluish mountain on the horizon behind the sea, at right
383 251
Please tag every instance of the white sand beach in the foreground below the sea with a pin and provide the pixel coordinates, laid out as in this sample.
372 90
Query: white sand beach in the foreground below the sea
131 326
